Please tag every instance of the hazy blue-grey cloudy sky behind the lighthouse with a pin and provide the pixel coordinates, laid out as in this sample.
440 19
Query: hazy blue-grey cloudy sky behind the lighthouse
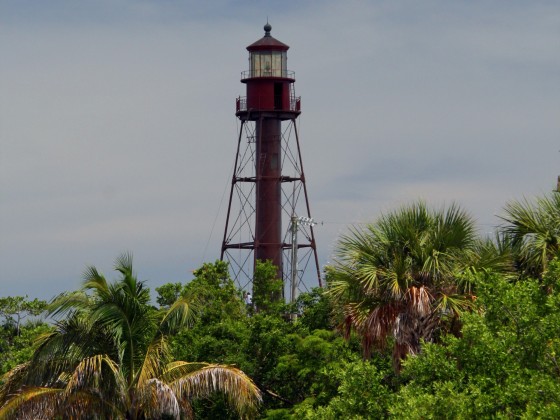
118 130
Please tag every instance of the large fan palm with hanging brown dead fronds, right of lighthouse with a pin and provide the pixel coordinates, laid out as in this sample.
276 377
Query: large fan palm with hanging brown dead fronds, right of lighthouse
406 274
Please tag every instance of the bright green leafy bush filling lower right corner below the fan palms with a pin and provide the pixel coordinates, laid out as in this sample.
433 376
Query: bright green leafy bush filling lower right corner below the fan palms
503 365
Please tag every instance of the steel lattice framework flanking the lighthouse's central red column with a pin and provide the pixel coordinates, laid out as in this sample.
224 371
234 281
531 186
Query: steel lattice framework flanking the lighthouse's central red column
239 237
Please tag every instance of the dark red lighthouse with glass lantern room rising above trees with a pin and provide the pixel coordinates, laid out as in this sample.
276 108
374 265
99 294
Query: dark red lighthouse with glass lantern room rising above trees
268 193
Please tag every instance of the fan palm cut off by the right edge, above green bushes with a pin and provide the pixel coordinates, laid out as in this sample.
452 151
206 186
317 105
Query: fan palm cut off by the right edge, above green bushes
533 230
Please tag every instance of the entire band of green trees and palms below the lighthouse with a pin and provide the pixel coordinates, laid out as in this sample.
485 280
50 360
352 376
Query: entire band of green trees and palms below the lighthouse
471 324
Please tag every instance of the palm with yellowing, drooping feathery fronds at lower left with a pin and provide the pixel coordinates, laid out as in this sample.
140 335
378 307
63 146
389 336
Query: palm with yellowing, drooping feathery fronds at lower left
109 356
